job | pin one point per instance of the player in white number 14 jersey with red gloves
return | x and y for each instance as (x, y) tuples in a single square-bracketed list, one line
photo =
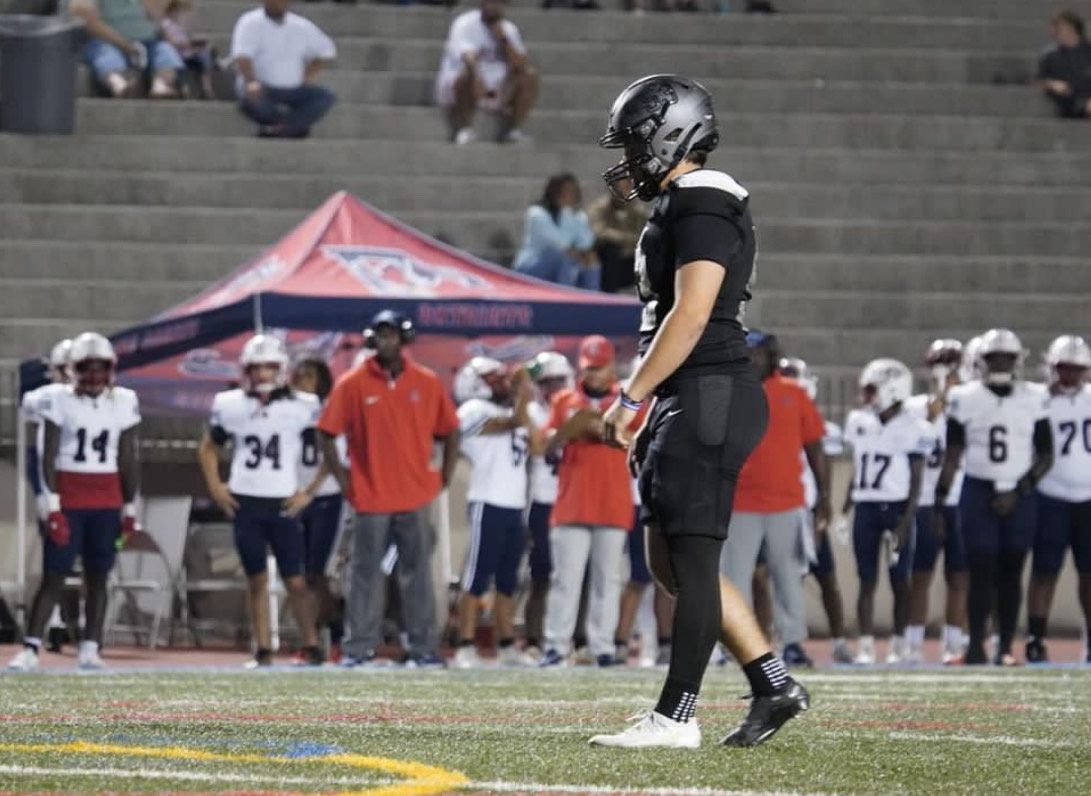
[(91, 472)]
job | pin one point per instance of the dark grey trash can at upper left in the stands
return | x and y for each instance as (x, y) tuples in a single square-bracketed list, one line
[(38, 74)]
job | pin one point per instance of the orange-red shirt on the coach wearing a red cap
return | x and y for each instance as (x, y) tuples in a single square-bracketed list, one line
[(595, 487)]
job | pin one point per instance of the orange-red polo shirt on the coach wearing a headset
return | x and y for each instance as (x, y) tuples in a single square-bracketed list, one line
[(390, 426)]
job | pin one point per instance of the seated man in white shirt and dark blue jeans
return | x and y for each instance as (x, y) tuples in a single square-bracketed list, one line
[(279, 55)]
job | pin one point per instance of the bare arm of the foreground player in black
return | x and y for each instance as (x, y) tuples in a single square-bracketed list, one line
[(697, 286)]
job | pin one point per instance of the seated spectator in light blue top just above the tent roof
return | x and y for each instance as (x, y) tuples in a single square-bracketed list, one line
[(558, 244)]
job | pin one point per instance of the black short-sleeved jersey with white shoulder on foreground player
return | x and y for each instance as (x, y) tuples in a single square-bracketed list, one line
[(704, 215)]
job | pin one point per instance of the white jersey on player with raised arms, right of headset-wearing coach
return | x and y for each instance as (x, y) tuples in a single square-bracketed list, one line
[(499, 473)]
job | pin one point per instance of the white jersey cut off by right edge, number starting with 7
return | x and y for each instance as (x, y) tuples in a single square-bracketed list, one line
[(1070, 479)]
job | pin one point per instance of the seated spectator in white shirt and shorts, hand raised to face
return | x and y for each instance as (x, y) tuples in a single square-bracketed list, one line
[(485, 66)]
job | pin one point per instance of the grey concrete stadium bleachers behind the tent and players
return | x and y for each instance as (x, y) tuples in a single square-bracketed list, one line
[(906, 180)]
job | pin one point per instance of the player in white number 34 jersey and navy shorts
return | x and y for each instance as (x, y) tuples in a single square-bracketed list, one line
[(266, 425)]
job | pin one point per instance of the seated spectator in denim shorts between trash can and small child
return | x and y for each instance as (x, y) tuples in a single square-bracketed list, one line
[(123, 37)]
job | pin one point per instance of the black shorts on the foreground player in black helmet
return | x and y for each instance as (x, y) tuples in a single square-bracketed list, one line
[(701, 437)]
